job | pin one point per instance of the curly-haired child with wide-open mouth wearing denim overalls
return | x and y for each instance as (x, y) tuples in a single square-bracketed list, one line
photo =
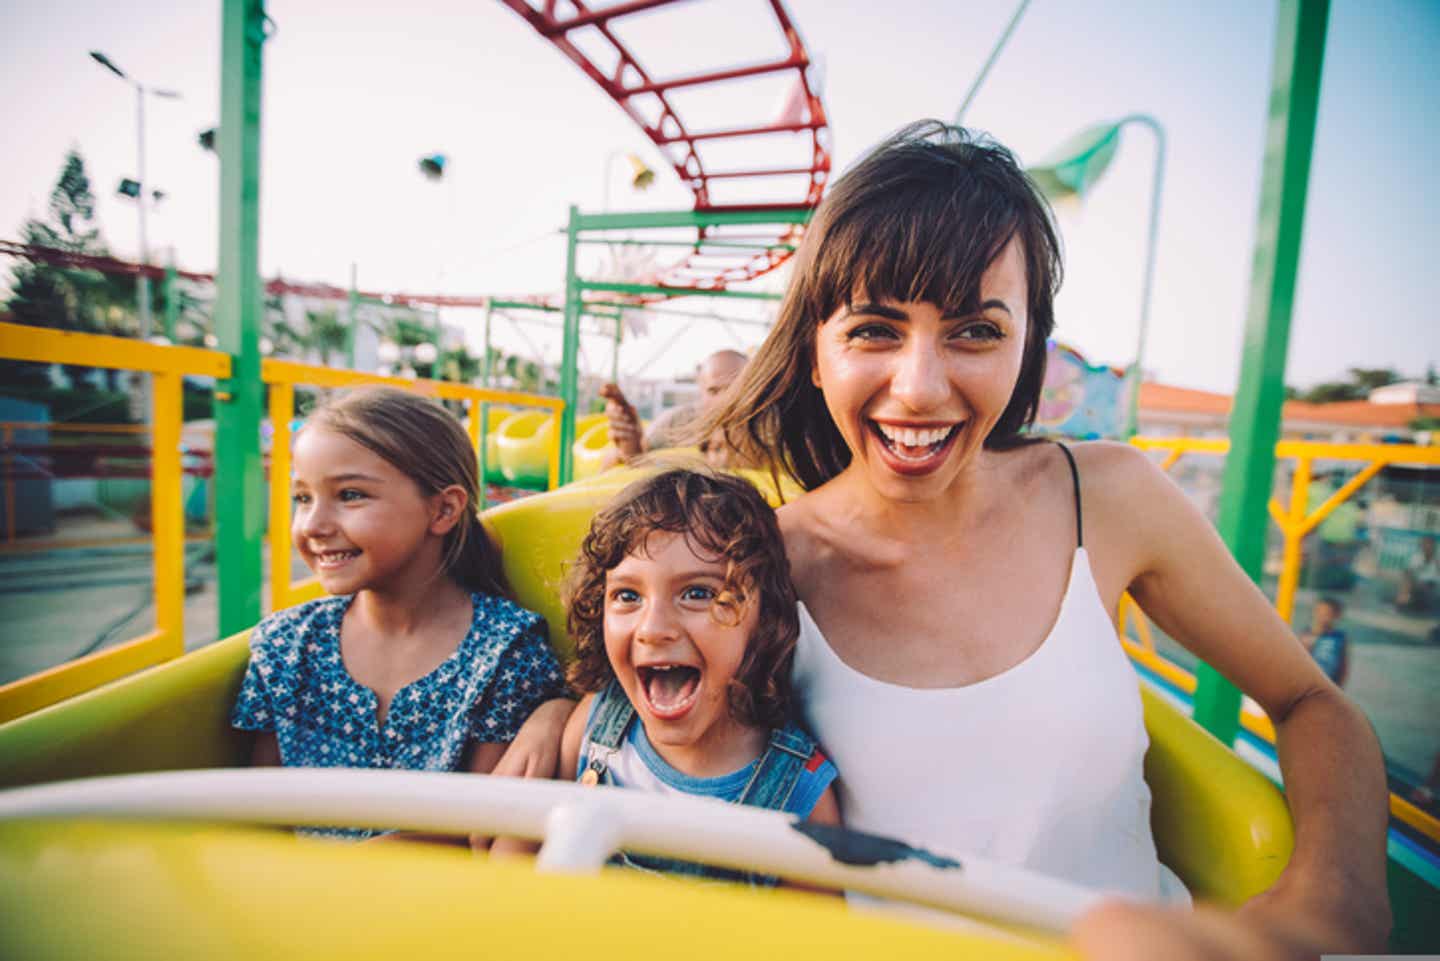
[(685, 623)]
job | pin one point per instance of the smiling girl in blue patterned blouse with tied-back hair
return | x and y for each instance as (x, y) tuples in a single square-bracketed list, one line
[(418, 661)]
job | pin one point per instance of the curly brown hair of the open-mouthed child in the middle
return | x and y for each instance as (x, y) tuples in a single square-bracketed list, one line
[(722, 517)]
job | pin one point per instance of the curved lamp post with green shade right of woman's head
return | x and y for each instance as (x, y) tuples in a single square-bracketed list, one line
[(1072, 171)]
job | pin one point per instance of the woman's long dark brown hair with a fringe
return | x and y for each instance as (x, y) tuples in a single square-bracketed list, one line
[(919, 218)]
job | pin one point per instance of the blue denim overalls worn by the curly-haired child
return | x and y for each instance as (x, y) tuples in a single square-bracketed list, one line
[(770, 787)]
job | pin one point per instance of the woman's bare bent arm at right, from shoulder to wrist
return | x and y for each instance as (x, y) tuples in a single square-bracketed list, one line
[(1333, 894)]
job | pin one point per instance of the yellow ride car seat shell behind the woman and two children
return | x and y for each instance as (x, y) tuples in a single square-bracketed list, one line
[(1219, 823)]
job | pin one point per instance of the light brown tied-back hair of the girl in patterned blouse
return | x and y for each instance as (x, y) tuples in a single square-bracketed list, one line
[(426, 443)]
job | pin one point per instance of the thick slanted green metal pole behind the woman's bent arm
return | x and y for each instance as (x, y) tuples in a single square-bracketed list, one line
[(1255, 423)]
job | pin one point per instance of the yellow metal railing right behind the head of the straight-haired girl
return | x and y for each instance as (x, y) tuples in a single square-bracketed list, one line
[(283, 377)]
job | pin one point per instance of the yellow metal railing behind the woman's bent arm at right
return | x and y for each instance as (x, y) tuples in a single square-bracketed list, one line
[(1295, 522)]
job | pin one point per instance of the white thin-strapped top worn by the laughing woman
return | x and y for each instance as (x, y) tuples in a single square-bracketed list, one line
[(1039, 767)]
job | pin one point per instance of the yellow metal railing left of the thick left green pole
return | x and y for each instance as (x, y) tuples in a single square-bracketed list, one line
[(168, 367)]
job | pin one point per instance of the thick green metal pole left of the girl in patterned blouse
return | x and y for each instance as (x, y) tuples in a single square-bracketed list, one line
[(240, 482)]
